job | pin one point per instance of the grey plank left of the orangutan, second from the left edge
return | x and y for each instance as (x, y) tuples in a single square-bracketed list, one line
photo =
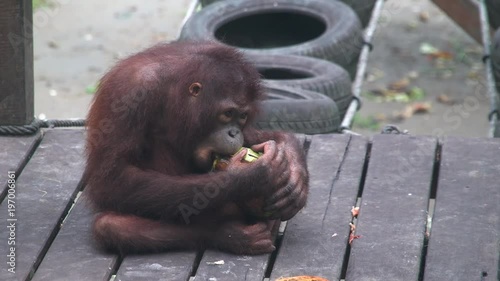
[(43, 191)]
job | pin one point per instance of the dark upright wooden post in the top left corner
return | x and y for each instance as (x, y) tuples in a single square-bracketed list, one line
[(16, 62)]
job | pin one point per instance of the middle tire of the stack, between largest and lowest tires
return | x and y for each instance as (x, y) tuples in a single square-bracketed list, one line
[(307, 73)]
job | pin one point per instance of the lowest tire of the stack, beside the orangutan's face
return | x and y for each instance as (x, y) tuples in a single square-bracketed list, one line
[(297, 110)]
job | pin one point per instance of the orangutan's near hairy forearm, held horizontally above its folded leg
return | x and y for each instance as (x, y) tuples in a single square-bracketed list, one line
[(130, 189)]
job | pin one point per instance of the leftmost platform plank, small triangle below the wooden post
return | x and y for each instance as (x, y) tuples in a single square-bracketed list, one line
[(14, 153)]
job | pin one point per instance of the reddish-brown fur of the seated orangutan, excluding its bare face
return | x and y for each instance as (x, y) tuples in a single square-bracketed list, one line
[(143, 127)]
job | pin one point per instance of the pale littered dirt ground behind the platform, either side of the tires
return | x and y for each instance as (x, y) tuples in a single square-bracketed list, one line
[(77, 41)]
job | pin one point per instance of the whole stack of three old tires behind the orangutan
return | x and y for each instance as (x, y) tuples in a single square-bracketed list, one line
[(297, 46)]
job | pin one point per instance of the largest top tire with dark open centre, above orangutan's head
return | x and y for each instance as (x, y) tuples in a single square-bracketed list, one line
[(324, 29)]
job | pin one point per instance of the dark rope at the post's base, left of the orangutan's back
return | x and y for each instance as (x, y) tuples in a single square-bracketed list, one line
[(34, 127)]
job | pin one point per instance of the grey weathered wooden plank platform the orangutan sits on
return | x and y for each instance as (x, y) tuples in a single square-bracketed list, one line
[(395, 180)]
